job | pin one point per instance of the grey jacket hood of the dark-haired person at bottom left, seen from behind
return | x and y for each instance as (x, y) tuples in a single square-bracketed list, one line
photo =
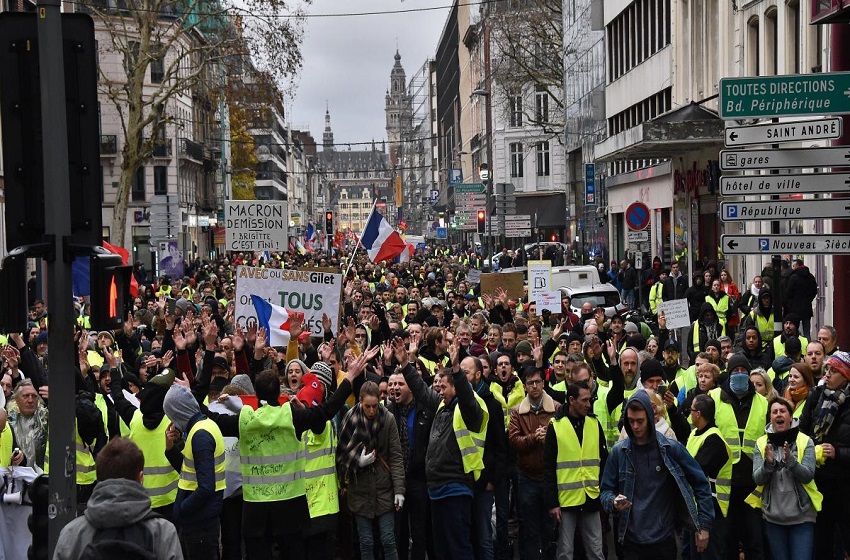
[(117, 502)]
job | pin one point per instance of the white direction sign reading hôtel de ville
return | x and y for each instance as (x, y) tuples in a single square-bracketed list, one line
[(801, 183)]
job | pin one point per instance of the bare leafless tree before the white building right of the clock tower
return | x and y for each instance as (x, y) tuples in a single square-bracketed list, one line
[(527, 49)]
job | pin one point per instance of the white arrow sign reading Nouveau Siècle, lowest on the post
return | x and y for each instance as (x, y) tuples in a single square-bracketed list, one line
[(802, 244)]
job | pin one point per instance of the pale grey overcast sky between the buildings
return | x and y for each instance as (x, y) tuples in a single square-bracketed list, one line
[(347, 63)]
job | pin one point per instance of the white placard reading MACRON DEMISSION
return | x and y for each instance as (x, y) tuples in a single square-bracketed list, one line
[(256, 225)]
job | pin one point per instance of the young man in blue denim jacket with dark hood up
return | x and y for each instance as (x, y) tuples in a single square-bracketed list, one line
[(647, 480)]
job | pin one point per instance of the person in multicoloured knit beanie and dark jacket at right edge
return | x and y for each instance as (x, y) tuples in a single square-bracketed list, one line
[(826, 419)]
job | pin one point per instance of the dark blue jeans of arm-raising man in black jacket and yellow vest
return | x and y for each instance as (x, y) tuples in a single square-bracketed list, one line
[(452, 518)]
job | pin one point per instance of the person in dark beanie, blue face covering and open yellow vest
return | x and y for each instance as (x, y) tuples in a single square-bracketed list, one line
[(740, 415)]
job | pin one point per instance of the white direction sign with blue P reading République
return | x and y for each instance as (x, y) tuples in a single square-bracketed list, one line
[(784, 210)]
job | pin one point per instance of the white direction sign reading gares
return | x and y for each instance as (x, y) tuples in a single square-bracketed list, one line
[(788, 158)]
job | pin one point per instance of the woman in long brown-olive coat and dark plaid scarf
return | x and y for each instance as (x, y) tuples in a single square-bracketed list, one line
[(372, 470)]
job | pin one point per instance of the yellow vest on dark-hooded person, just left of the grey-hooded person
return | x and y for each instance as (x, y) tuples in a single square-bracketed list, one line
[(160, 478)]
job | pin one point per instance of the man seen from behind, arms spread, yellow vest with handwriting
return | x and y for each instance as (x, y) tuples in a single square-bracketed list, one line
[(273, 436)]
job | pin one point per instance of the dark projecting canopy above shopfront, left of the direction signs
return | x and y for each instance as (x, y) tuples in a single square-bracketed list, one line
[(689, 128)]
